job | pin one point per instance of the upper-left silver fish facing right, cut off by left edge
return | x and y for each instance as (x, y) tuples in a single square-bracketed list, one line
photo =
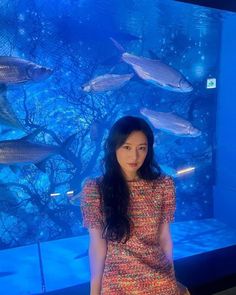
[(15, 70)]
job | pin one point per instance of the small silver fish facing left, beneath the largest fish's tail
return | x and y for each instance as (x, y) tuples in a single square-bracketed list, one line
[(107, 82)]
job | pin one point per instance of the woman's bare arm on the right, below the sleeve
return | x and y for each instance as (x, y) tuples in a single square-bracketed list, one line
[(166, 241)]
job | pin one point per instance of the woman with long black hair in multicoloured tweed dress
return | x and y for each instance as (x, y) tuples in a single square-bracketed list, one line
[(127, 212)]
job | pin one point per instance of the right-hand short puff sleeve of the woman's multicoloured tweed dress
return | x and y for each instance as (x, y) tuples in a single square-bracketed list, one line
[(169, 200)]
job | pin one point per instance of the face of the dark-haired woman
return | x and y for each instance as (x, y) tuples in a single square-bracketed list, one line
[(132, 153)]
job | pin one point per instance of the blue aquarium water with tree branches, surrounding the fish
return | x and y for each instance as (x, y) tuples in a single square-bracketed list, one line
[(73, 39)]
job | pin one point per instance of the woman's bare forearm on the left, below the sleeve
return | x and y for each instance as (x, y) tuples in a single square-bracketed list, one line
[(97, 255)]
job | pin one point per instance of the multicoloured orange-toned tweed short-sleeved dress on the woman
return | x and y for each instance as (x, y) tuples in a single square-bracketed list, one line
[(140, 266)]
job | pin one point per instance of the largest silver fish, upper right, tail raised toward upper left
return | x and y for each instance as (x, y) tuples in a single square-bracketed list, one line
[(155, 71)]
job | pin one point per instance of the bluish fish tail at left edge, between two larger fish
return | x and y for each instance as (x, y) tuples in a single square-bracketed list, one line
[(7, 115)]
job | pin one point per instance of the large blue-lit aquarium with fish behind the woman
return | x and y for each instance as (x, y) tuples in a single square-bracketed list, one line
[(68, 71)]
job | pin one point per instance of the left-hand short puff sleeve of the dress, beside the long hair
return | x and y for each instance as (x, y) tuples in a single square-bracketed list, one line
[(90, 205)]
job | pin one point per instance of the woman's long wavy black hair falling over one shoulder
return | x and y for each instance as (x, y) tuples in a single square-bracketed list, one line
[(114, 191)]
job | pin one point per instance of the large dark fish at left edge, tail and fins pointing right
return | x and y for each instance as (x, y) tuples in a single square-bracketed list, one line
[(23, 151)]
